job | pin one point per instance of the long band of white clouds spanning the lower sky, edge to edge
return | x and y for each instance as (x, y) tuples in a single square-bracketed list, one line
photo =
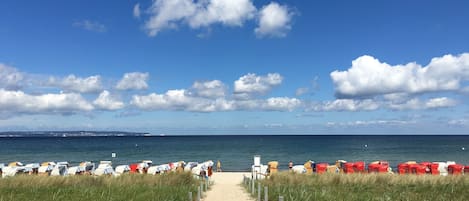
[(366, 86)]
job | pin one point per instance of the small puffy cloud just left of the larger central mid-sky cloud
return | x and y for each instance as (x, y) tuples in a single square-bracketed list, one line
[(209, 89)]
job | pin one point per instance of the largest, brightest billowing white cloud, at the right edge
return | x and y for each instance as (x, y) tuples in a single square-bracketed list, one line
[(369, 77)]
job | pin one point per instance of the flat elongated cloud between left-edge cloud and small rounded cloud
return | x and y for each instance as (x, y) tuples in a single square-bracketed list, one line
[(91, 84)]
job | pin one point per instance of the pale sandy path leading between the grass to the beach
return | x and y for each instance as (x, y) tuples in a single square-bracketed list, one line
[(227, 187)]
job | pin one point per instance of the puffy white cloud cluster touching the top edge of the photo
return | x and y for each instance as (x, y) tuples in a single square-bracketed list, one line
[(274, 19)]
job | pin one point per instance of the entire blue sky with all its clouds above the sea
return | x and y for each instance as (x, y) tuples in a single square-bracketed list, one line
[(235, 66)]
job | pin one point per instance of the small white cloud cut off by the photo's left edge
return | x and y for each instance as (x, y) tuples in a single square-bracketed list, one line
[(10, 78)]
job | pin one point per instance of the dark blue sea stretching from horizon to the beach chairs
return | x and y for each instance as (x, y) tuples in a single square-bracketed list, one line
[(236, 152)]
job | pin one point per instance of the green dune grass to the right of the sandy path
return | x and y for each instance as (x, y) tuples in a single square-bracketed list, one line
[(366, 187)]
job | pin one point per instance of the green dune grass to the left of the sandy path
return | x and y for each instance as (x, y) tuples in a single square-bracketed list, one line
[(168, 187)]
